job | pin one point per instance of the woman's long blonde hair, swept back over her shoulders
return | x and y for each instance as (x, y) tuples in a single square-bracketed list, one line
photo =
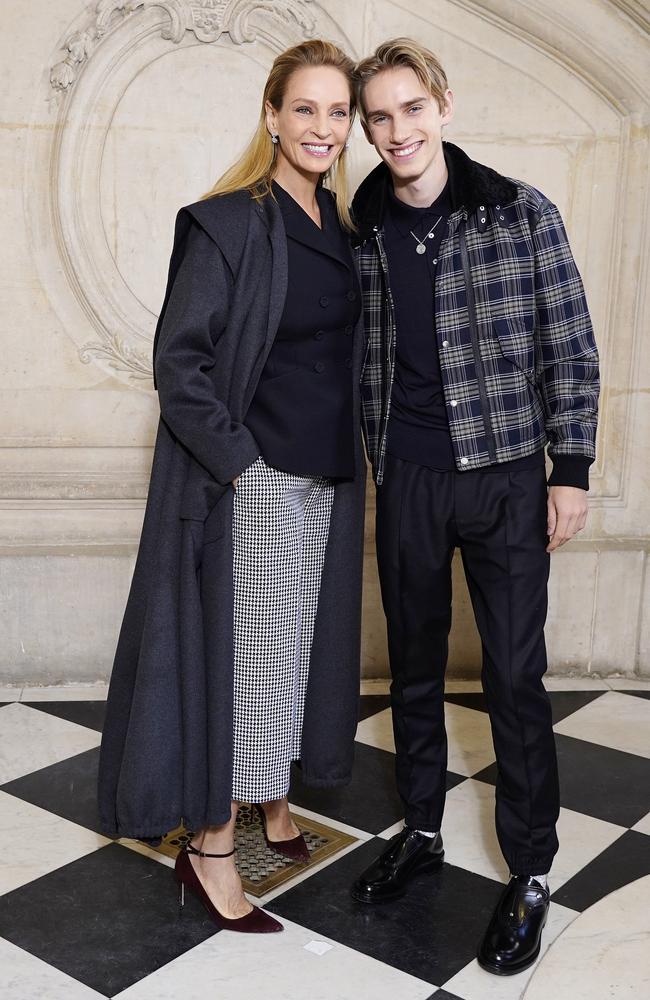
[(254, 169)]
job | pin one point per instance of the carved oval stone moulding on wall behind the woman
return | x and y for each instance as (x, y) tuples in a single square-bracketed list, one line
[(99, 61)]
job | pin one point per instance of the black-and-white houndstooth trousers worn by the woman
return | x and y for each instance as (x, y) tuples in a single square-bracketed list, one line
[(280, 530)]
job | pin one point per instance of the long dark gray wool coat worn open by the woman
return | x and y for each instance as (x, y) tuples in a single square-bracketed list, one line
[(167, 746)]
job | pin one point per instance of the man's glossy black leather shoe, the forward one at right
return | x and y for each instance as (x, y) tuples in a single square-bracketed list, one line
[(513, 938)]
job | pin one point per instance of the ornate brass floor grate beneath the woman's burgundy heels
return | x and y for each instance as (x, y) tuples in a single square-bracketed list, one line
[(262, 869)]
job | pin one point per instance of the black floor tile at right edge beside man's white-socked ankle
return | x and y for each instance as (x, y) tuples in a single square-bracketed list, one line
[(624, 861)]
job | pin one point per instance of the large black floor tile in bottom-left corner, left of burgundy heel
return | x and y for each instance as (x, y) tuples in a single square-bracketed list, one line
[(108, 919)]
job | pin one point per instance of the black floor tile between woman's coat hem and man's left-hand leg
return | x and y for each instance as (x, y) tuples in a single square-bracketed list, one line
[(370, 802)]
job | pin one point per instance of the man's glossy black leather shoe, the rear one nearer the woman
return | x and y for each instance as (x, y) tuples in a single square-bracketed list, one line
[(408, 854)]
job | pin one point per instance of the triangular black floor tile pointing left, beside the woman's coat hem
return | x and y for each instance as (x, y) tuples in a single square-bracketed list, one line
[(67, 789)]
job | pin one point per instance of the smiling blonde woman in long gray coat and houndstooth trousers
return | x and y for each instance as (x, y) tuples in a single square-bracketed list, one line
[(239, 650)]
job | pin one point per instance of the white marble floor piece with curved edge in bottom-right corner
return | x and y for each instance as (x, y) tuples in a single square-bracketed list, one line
[(603, 955)]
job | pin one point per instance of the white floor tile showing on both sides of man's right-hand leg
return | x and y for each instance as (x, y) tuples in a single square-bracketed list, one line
[(470, 839)]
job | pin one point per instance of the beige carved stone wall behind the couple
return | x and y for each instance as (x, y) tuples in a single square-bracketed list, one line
[(113, 114)]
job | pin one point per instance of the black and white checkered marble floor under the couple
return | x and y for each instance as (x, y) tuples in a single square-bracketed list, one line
[(84, 917)]
